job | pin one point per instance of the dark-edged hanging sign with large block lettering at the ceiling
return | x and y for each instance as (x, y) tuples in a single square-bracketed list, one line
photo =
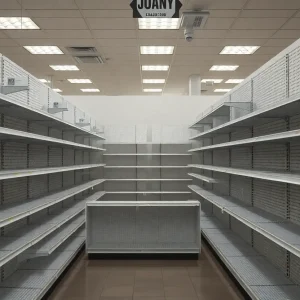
[(156, 8)]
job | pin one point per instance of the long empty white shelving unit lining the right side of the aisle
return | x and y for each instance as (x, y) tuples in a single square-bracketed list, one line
[(251, 199)]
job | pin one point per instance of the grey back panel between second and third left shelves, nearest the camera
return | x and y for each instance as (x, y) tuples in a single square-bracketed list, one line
[(14, 155)]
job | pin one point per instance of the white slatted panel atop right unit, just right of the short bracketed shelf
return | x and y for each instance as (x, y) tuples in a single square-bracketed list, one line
[(269, 87)]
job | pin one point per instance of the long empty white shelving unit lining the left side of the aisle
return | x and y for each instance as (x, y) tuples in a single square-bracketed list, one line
[(50, 166)]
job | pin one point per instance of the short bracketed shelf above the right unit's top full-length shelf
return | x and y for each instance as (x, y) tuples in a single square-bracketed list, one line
[(222, 110)]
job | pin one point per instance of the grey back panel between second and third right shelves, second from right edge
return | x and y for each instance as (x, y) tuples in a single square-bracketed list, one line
[(270, 157)]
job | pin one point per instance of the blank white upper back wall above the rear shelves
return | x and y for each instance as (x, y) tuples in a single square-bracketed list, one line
[(136, 110)]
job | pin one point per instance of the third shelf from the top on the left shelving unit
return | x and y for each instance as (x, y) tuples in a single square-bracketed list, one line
[(8, 174)]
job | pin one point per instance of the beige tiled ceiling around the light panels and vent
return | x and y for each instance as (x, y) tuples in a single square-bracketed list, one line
[(108, 25)]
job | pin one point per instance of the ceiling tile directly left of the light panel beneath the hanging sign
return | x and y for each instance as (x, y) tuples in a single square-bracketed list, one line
[(114, 23)]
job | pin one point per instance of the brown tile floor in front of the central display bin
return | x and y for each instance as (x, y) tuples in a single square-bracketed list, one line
[(146, 280)]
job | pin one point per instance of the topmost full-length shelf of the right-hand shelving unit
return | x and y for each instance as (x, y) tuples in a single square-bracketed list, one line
[(287, 109)]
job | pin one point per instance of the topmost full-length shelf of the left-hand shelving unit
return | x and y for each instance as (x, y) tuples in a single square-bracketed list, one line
[(25, 112)]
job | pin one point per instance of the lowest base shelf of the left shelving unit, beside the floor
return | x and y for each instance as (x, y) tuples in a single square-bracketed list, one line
[(35, 277)]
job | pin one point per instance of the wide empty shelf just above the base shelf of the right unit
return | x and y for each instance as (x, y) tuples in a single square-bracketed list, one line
[(278, 230)]
